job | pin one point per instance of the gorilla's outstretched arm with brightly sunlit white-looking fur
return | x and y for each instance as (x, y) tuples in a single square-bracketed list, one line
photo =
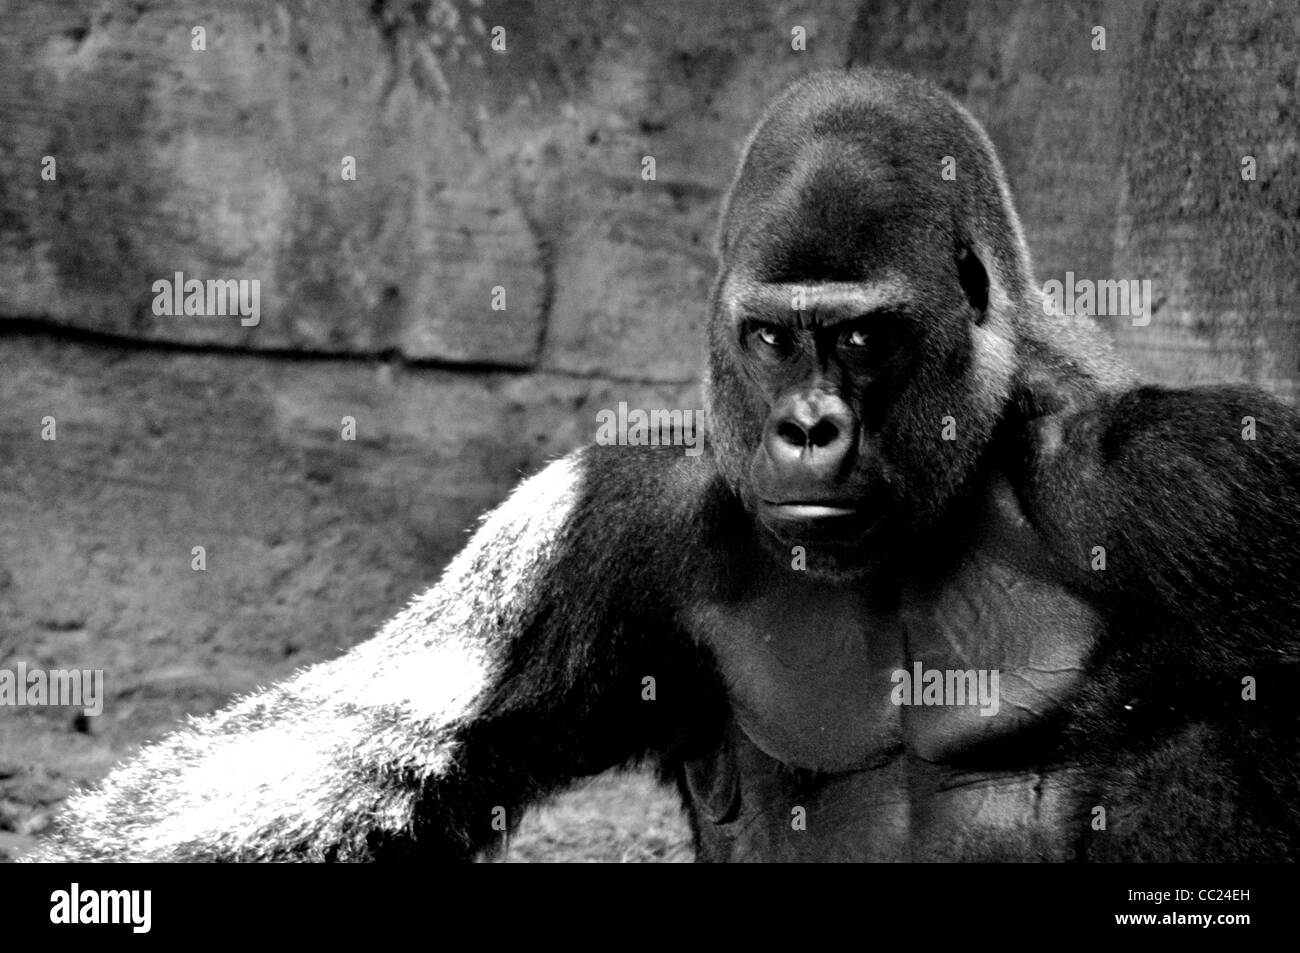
[(521, 670)]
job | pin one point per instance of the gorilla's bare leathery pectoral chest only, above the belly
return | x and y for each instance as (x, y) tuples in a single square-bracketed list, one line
[(822, 679)]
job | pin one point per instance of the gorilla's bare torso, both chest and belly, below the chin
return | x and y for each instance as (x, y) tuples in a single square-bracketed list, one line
[(922, 730)]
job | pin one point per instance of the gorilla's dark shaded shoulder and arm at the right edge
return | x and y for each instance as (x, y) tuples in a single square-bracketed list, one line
[(1188, 724)]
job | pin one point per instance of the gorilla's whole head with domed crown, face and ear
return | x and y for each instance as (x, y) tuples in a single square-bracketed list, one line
[(864, 320)]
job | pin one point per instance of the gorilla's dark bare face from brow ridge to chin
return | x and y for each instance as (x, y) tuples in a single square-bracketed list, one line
[(839, 388)]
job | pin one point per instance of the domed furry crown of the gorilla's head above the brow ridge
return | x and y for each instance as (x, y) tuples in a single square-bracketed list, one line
[(844, 175)]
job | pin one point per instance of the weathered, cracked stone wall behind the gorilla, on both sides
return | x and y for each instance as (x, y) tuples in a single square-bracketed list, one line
[(480, 170)]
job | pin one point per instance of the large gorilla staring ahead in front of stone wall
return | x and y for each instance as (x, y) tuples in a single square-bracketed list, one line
[(917, 482)]
